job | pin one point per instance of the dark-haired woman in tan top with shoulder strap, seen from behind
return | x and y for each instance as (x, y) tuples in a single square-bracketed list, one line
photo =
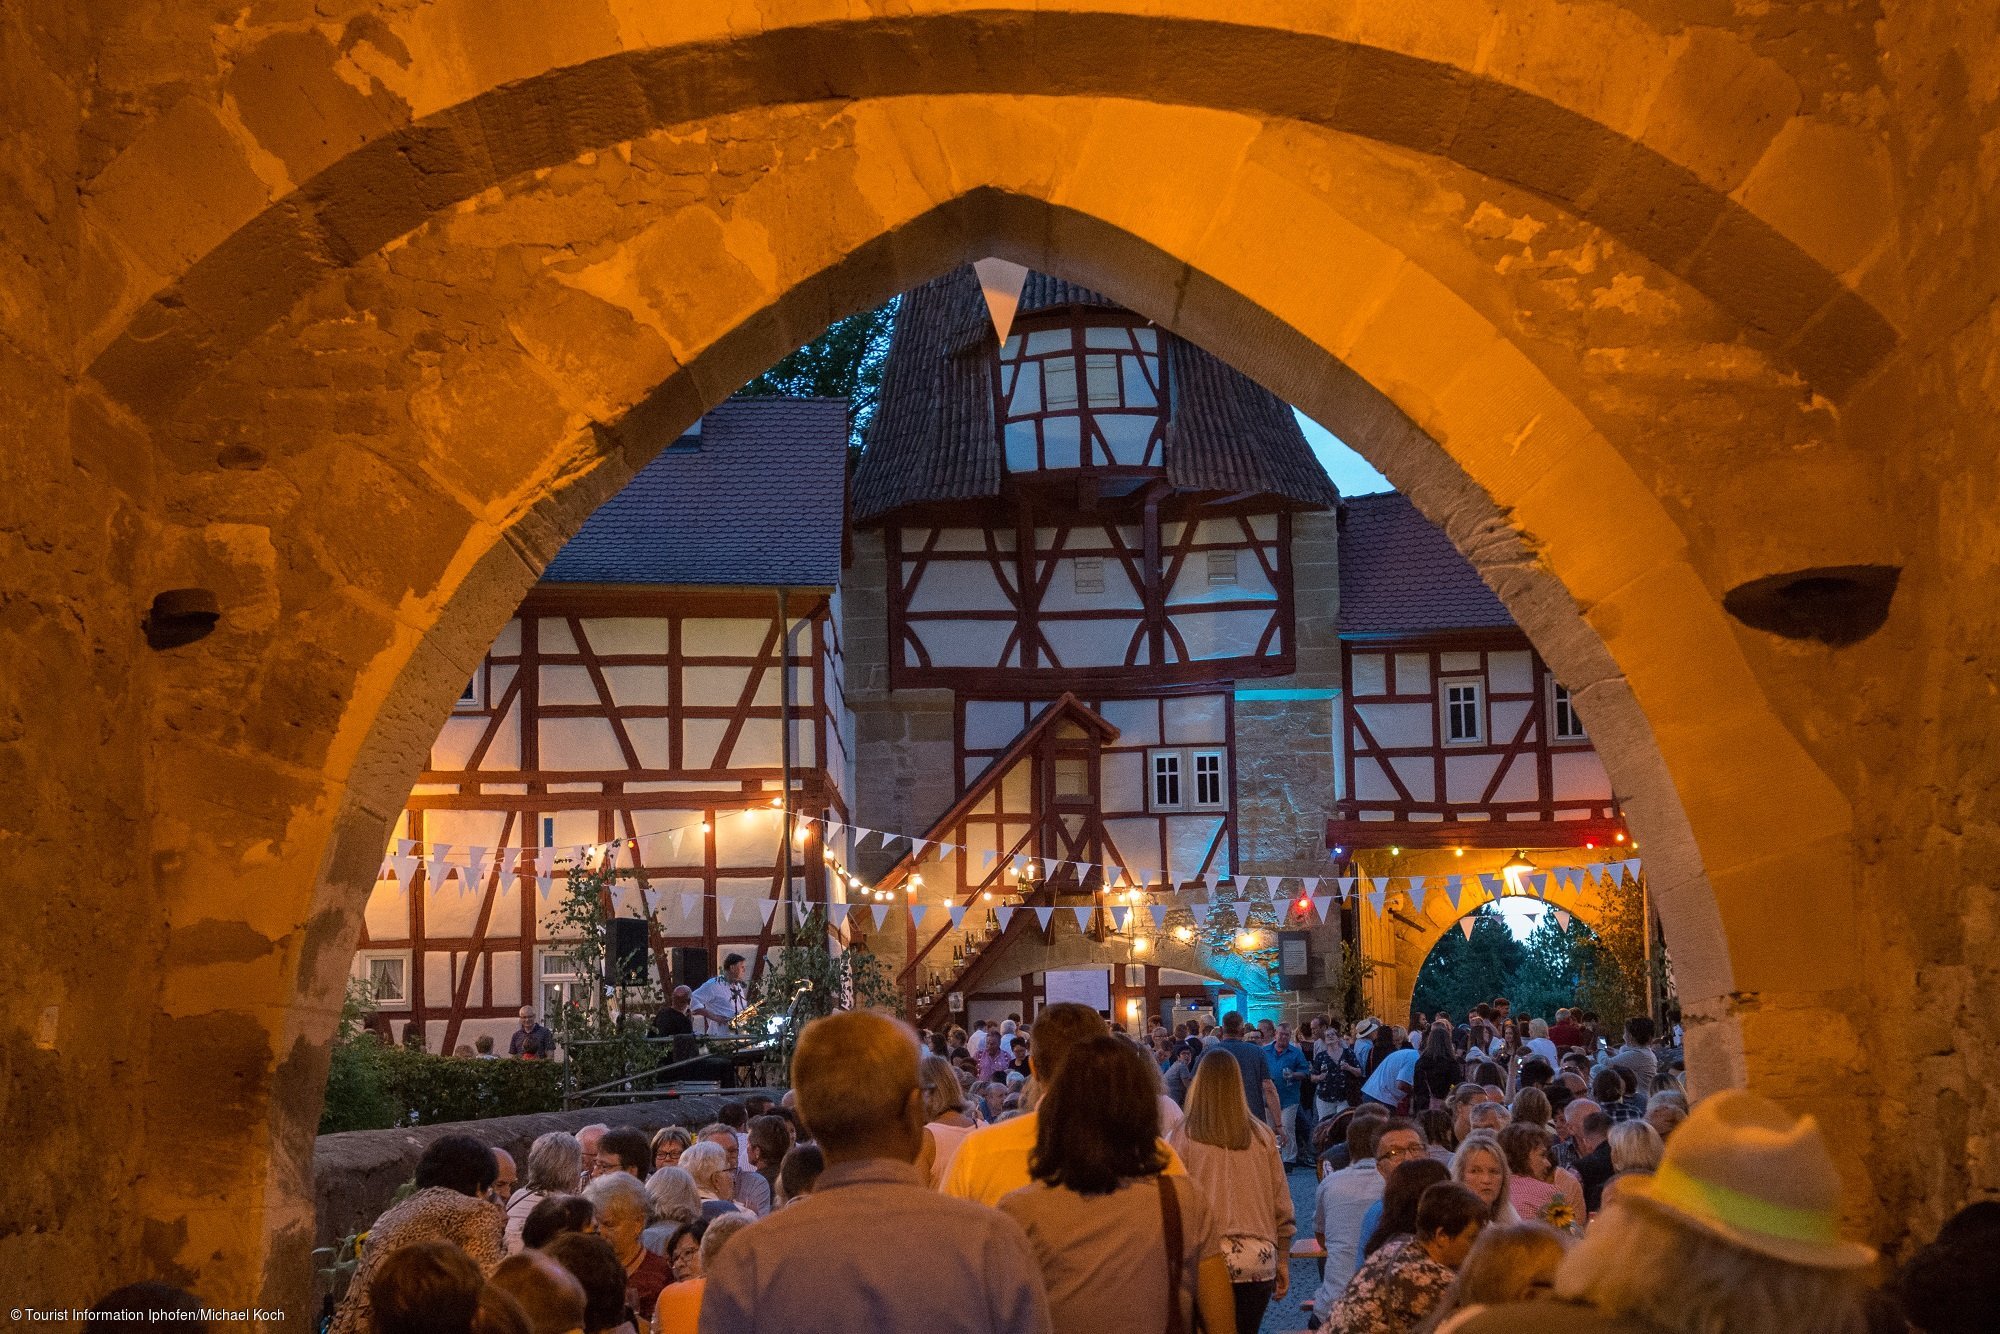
[(1123, 1247)]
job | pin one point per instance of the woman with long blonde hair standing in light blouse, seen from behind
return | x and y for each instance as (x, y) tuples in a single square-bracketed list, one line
[(1235, 1163)]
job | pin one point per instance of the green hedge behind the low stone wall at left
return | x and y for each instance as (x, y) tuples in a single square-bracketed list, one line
[(375, 1087)]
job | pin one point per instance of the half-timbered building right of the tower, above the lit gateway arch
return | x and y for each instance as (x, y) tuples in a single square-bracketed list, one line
[(1461, 753)]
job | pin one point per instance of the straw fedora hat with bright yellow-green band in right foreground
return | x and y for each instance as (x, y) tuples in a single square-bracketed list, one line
[(1747, 1171)]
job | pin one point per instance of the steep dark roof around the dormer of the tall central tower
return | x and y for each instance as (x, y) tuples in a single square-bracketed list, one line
[(937, 435)]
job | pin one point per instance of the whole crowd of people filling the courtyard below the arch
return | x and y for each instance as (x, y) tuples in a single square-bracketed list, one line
[(1473, 1177)]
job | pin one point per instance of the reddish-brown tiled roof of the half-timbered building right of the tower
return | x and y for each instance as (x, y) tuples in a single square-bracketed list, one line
[(1401, 575)]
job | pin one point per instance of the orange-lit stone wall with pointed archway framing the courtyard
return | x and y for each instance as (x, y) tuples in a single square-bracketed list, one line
[(337, 313)]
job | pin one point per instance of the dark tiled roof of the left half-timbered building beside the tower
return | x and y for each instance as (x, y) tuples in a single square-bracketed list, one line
[(755, 499)]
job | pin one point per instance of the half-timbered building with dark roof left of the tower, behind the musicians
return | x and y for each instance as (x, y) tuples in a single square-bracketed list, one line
[(673, 675)]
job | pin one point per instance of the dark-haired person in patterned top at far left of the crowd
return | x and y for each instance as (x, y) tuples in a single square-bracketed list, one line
[(449, 1207)]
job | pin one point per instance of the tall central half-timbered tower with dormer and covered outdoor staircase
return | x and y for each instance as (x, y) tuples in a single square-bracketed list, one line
[(1077, 591)]
